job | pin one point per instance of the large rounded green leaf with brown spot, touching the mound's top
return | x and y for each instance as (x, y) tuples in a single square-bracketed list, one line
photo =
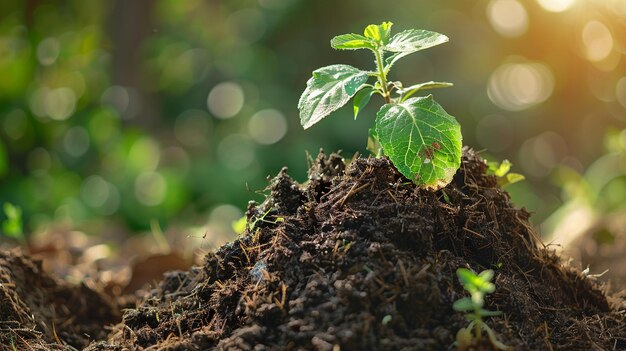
[(422, 140)]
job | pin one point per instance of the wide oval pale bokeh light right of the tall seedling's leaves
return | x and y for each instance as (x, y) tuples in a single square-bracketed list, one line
[(518, 86)]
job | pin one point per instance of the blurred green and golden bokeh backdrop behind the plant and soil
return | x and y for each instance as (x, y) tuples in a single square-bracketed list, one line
[(117, 113)]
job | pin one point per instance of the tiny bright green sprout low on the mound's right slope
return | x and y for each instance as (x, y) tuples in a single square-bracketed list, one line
[(478, 285)]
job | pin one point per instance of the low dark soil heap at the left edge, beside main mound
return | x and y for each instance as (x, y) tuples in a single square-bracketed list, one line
[(38, 312)]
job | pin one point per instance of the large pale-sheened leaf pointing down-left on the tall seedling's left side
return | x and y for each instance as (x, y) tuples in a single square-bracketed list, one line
[(329, 89)]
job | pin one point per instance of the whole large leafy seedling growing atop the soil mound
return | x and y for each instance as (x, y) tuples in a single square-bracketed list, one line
[(421, 139)]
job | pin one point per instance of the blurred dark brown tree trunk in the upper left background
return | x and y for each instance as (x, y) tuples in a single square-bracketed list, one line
[(130, 24)]
